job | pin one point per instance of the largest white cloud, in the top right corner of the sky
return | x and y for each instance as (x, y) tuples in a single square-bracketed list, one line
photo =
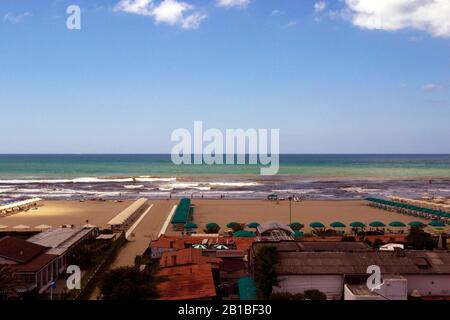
[(432, 16)]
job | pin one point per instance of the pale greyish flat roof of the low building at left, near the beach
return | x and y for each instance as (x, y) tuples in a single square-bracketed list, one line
[(60, 239)]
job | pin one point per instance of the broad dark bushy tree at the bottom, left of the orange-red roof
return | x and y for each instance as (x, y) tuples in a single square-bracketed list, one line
[(128, 283)]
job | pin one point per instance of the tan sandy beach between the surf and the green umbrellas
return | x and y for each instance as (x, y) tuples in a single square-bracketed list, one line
[(56, 213)]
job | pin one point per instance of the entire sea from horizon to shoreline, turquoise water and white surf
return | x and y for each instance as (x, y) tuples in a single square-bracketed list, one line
[(130, 176)]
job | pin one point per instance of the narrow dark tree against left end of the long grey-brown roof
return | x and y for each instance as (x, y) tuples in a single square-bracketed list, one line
[(265, 274)]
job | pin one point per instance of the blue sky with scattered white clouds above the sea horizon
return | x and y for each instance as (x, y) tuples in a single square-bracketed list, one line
[(342, 76)]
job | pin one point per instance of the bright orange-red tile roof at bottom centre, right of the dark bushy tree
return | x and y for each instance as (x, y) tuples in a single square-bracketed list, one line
[(187, 283)]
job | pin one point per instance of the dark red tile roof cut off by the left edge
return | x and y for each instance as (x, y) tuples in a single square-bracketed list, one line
[(19, 250)]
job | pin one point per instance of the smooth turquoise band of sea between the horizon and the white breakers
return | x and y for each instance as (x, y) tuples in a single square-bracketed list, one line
[(74, 166)]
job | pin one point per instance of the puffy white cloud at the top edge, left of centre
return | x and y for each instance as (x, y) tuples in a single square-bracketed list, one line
[(171, 12)]
